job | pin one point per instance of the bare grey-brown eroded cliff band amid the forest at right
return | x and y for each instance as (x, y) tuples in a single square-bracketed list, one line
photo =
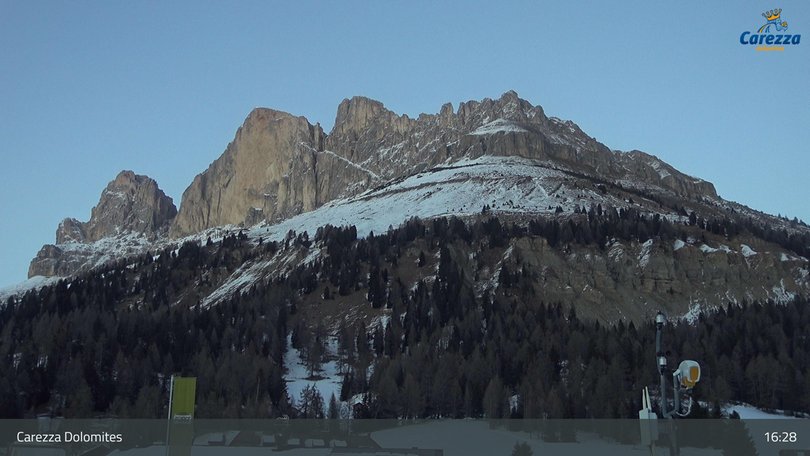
[(632, 280)]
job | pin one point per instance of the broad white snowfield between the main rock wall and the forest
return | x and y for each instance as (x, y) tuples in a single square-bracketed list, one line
[(506, 184)]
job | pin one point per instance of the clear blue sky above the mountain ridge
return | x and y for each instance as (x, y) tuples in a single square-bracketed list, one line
[(90, 88)]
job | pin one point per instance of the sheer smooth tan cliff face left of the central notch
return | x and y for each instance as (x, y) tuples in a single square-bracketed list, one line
[(267, 172)]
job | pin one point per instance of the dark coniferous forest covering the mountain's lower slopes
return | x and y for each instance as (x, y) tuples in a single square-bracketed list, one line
[(105, 344)]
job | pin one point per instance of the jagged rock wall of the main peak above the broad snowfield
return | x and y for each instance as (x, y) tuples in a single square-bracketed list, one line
[(279, 165)]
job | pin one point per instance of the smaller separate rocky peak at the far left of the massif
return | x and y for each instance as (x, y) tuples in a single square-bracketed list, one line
[(130, 205)]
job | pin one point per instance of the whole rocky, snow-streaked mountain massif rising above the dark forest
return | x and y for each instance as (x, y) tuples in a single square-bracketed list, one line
[(504, 154)]
